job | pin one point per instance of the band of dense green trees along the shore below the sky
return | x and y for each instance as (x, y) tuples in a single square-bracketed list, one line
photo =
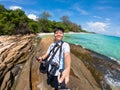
[(16, 22)]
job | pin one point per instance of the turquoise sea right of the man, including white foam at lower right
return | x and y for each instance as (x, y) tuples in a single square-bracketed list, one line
[(103, 44)]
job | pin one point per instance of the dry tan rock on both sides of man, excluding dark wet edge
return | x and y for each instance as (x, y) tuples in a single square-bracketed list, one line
[(19, 69)]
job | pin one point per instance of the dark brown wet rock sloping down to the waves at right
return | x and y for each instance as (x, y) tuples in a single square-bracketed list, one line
[(100, 66)]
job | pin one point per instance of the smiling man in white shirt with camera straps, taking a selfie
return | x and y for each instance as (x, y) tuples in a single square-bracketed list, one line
[(64, 62)]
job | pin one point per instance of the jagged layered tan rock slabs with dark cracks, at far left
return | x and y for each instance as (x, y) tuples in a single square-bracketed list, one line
[(13, 52)]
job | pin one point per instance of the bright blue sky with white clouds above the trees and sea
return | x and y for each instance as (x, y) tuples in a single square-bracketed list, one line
[(100, 16)]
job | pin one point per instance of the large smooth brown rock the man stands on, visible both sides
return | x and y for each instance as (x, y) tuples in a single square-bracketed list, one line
[(80, 77)]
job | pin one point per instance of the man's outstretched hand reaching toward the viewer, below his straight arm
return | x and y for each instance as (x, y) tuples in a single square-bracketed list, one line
[(65, 76)]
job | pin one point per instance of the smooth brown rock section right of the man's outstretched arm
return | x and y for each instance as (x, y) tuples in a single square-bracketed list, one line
[(81, 78)]
